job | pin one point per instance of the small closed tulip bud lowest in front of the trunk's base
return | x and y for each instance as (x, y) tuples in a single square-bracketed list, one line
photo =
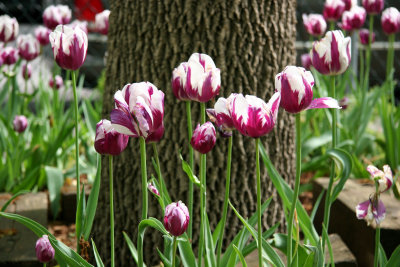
[(176, 218)]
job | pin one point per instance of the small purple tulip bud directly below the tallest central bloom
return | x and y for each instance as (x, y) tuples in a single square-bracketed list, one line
[(203, 138)]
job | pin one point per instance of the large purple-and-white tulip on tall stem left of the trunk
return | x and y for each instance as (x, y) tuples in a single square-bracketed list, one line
[(69, 47)]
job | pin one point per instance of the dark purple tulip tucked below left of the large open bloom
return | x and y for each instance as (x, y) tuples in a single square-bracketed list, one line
[(108, 141)]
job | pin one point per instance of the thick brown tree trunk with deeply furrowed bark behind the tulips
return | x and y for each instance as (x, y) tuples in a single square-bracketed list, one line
[(250, 41)]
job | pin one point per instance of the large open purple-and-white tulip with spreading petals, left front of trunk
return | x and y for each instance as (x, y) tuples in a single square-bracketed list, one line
[(139, 111)]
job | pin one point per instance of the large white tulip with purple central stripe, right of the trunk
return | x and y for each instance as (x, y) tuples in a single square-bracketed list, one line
[(331, 55)]
